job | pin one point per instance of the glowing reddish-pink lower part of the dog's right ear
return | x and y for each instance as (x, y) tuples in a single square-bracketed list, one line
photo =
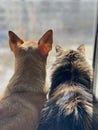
[(45, 48)]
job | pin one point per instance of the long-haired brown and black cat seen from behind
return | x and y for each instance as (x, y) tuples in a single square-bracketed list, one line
[(70, 103)]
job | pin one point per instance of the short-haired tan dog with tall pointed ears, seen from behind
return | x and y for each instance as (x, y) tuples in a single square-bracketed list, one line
[(25, 94)]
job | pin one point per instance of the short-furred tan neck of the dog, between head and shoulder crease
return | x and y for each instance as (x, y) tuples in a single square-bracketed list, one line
[(29, 76)]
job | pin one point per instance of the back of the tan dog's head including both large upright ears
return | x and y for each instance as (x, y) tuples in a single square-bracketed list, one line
[(31, 52)]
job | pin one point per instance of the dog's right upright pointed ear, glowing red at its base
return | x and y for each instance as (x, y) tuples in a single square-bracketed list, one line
[(45, 43)]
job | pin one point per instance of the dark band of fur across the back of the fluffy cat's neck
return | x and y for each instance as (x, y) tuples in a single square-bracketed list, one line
[(71, 74)]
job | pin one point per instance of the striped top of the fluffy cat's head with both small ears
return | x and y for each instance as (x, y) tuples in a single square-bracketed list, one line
[(68, 55)]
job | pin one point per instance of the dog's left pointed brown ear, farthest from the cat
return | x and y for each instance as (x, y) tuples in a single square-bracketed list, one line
[(14, 40)]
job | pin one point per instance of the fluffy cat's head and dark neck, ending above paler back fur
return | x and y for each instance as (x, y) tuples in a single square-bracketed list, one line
[(71, 66)]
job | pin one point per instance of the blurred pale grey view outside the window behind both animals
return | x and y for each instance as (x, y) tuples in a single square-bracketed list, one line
[(73, 23)]
